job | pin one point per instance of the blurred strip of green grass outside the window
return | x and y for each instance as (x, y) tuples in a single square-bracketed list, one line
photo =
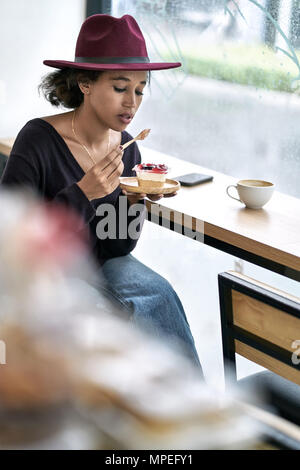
[(257, 66)]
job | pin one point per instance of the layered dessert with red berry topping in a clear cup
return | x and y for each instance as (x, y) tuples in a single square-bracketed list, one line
[(151, 176)]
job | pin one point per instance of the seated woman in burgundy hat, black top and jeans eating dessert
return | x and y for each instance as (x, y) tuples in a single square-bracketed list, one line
[(76, 158)]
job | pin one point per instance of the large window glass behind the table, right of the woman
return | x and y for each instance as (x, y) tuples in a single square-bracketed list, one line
[(234, 105)]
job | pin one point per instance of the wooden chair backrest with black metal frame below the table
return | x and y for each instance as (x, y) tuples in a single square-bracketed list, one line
[(260, 323)]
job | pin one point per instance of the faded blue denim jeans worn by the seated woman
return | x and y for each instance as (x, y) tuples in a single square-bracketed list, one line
[(149, 300)]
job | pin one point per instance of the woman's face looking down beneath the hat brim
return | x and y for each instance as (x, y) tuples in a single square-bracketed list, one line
[(116, 96)]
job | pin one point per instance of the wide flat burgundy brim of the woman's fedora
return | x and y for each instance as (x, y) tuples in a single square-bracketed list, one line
[(61, 64)]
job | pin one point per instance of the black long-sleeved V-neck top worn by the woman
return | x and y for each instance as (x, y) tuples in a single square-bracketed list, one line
[(41, 160)]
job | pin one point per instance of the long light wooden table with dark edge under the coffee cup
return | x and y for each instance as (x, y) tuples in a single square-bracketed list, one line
[(269, 237)]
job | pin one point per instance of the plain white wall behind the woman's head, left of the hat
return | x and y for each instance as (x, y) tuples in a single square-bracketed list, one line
[(30, 32)]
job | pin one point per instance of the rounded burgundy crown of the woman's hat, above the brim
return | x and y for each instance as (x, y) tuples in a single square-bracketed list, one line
[(105, 36)]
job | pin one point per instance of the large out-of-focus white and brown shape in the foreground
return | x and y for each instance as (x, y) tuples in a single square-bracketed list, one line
[(79, 375)]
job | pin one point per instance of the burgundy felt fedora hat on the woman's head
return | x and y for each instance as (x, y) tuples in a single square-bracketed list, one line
[(108, 43)]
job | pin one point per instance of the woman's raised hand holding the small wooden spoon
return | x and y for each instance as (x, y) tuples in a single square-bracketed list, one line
[(103, 178)]
